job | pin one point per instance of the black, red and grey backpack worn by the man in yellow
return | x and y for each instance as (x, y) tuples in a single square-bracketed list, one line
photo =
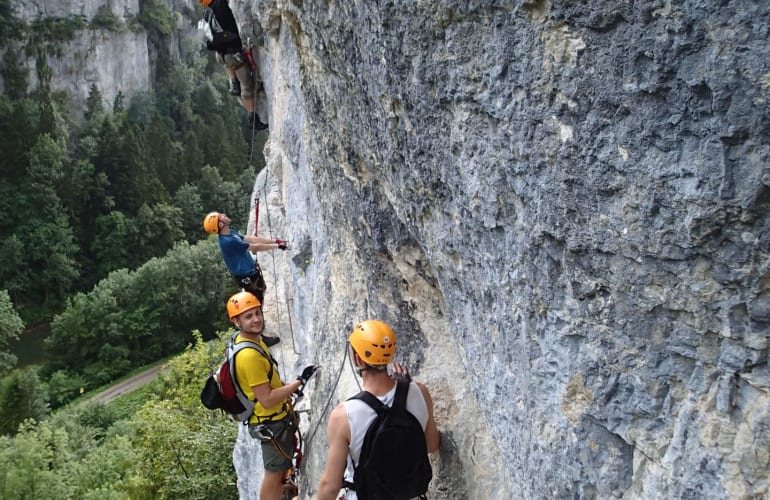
[(222, 392)]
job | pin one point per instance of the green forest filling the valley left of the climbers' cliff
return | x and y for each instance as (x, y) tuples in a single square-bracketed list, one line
[(102, 246)]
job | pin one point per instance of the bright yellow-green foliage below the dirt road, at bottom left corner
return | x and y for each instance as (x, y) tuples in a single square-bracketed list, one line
[(171, 448)]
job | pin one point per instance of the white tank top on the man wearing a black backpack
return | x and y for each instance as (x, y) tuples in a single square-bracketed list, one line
[(361, 415)]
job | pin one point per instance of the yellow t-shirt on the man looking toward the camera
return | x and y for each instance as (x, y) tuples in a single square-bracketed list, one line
[(251, 369)]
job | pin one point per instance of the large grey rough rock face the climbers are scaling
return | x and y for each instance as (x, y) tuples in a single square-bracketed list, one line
[(561, 208)]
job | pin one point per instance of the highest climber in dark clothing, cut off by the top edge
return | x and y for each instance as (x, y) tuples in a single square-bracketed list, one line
[(223, 38)]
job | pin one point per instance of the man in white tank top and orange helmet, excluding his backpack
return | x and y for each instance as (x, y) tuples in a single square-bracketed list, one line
[(372, 348)]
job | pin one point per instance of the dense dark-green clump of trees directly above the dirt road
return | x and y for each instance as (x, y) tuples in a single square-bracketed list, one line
[(133, 318)]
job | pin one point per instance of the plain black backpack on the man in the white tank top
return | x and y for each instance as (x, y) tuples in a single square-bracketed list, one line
[(393, 464)]
